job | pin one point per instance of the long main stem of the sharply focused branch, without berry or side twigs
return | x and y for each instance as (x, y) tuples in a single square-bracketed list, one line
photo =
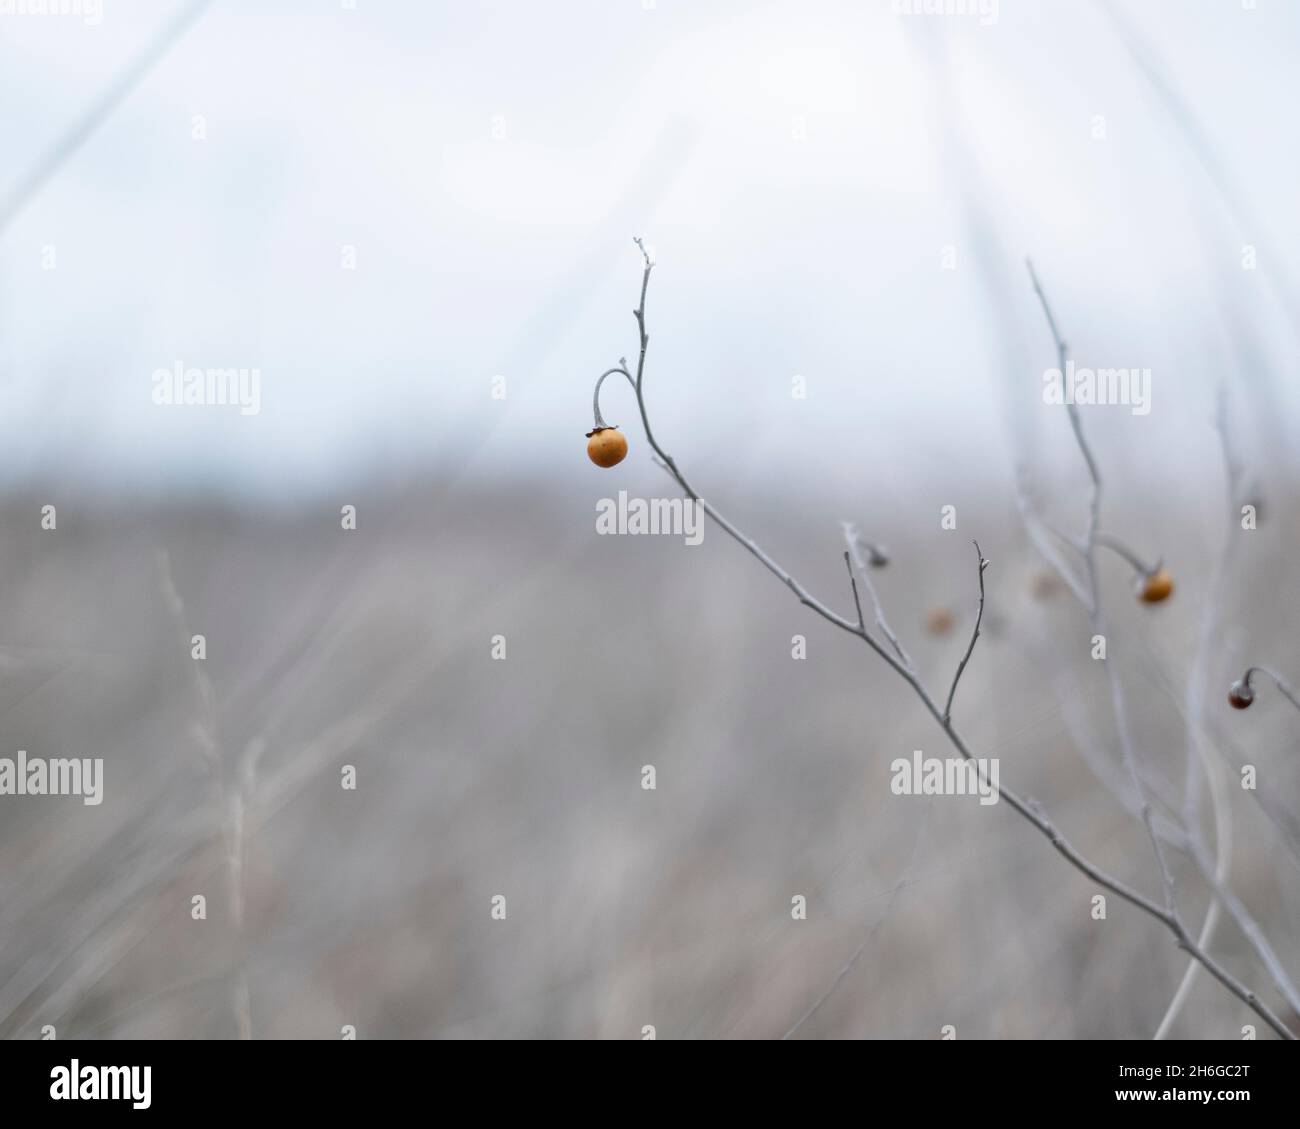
[(1032, 812)]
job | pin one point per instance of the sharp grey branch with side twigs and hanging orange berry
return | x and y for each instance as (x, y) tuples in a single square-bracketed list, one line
[(898, 660)]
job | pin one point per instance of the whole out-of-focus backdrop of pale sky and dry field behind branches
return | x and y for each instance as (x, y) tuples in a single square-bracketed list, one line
[(415, 223)]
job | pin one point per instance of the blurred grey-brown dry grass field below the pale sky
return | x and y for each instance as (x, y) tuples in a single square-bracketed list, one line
[(523, 778)]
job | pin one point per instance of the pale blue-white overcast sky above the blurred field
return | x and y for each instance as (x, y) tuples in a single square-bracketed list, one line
[(799, 168)]
